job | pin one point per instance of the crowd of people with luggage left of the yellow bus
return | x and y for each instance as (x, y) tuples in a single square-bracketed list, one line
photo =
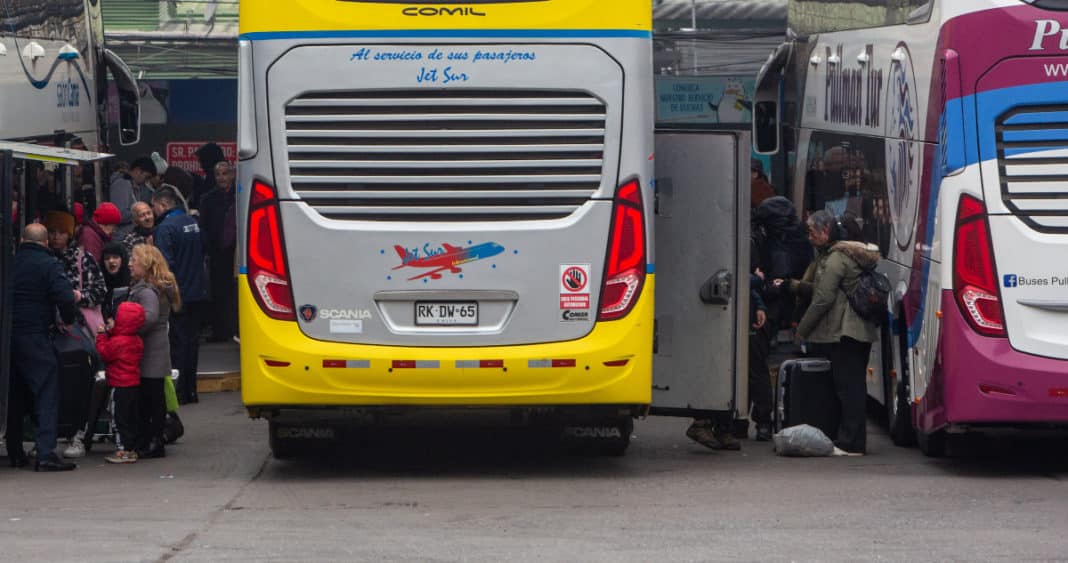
[(134, 277)]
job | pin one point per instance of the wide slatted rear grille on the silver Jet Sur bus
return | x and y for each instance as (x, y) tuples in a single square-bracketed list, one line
[(451, 155)]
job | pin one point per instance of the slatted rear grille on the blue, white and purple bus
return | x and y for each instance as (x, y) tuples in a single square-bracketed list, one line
[(1033, 165)]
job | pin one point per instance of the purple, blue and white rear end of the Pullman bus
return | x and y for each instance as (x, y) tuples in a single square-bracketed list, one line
[(1003, 358)]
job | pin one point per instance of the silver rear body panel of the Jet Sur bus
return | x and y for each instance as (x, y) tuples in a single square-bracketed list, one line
[(342, 261)]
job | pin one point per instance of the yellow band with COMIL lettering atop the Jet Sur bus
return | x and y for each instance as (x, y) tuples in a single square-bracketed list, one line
[(272, 17)]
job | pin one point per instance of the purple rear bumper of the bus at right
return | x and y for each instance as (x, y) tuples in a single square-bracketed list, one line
[(1020, 388)]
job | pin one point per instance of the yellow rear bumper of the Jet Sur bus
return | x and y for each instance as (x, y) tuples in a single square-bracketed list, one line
[(443, 377)]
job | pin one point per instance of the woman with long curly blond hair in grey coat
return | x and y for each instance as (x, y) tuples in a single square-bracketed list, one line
[(156, 291)]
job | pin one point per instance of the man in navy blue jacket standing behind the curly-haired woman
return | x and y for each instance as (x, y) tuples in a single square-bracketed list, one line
[(178, 238)]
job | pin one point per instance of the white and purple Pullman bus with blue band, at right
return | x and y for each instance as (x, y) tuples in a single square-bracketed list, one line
[(945, 127)]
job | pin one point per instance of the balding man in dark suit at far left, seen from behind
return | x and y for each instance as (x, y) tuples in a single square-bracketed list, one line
[(39, 287)]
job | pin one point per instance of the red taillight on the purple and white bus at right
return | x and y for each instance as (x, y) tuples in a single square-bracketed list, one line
[(975, 274)]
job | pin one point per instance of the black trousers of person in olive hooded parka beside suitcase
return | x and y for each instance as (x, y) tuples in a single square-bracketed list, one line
[(849, 367)]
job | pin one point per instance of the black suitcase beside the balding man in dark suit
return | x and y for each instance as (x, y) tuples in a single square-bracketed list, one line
[(77, 368)]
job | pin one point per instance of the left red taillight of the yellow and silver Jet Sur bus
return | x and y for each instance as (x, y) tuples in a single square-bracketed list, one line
[(269, 275)]
